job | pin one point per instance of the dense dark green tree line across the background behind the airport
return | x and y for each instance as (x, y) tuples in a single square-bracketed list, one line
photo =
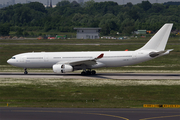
[(109, 16)]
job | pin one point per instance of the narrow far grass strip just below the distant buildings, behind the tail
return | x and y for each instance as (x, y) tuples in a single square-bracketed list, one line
[(131, 40)]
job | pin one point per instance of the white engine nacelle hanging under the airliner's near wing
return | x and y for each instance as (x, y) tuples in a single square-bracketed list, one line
[(62, 68)]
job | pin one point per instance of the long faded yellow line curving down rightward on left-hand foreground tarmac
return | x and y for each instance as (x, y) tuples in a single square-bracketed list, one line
[(72, 112)]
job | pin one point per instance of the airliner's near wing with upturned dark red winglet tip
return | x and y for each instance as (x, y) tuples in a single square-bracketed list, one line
[(87, 62)]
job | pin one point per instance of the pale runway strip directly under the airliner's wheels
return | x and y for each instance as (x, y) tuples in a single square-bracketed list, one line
[(139, 76)]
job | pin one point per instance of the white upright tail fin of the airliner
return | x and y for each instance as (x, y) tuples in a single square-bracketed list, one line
[(159, 40)]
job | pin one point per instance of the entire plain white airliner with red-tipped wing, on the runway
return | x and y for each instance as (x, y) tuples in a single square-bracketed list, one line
[(62, 62)]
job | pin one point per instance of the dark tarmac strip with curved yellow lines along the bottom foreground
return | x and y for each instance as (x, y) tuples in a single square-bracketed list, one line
[(88, 114)]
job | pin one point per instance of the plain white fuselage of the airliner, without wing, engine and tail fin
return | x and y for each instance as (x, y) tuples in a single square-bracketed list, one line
[(48, 59)]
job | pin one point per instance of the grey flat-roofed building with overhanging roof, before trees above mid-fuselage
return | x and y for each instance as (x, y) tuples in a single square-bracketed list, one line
[(87, 33)]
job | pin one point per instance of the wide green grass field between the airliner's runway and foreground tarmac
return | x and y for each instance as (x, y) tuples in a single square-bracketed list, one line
[(87, 93)]
